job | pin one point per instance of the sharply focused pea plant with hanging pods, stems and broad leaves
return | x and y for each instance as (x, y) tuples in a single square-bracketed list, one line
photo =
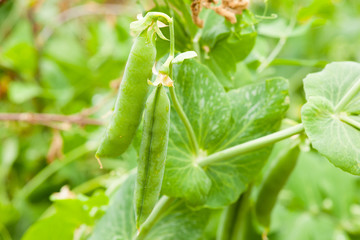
[(218, 141)]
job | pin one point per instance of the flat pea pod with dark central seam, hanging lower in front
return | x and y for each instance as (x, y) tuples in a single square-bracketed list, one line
[(153, 149)]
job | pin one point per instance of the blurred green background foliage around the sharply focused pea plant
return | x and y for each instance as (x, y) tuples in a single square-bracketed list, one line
[(67, 57)]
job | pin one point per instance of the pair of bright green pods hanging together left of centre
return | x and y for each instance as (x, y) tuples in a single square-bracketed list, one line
[(125, 120)]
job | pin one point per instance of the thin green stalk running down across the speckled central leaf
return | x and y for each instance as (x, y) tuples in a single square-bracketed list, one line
[(185, 121)]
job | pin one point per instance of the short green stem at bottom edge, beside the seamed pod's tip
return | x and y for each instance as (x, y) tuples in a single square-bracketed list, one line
[(160, 208)]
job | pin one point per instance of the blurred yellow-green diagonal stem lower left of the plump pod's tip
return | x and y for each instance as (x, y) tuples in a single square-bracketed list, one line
[(49, 170)]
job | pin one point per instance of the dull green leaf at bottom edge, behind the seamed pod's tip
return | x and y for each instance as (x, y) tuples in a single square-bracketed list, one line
[(178, 223)]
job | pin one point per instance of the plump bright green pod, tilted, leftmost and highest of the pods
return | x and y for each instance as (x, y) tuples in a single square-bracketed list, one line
[(131, 97)]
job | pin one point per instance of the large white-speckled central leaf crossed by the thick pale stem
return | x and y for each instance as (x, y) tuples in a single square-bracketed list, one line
[(251, 112)]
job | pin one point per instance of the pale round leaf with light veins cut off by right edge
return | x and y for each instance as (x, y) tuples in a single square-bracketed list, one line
[(325, 122)]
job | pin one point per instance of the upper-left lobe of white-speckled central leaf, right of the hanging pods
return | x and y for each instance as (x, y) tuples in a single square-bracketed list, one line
[(204, 101)]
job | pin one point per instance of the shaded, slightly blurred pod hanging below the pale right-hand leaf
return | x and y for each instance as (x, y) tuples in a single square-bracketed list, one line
[(273, 182)]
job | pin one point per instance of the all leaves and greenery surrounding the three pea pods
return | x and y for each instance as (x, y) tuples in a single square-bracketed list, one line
[(68, 57)]
